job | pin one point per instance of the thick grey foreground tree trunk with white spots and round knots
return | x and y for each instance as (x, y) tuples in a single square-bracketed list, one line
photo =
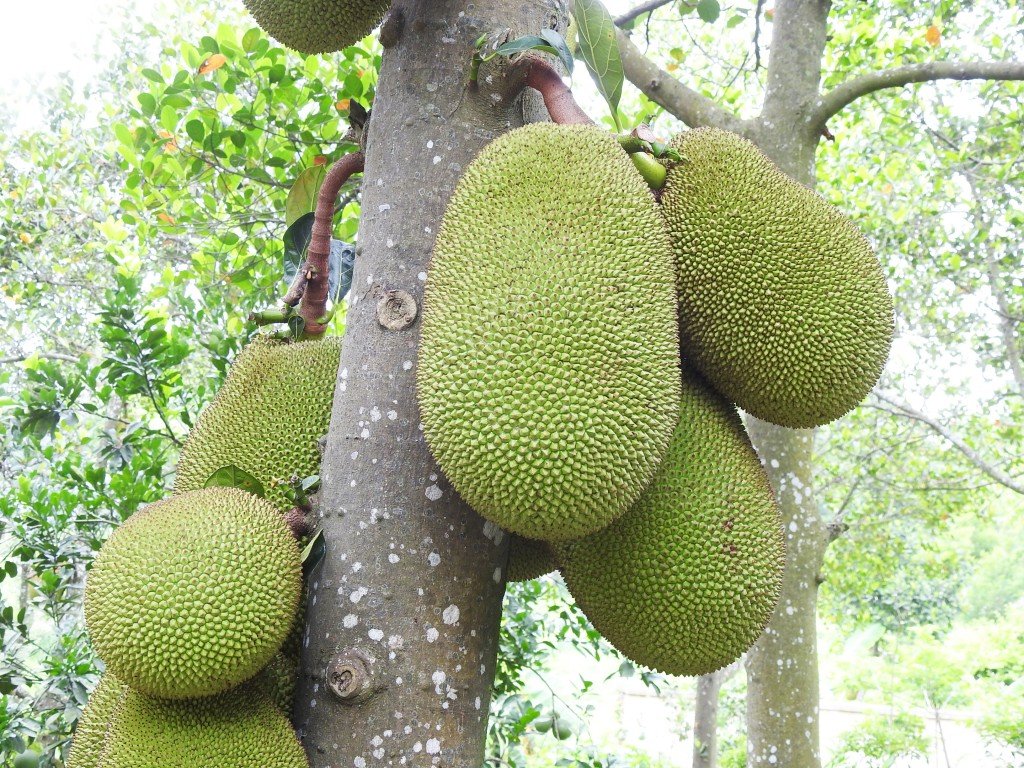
[(404, 610)]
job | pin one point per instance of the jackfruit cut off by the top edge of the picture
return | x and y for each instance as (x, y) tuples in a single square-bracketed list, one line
[(318, 26)]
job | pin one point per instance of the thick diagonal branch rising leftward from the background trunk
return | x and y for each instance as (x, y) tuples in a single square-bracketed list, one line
[(693, 108)]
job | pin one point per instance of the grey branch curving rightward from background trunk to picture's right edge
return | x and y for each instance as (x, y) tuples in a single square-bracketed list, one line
[(834, 102)]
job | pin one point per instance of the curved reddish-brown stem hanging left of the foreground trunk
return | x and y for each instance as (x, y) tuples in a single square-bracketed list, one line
[(314, 306)]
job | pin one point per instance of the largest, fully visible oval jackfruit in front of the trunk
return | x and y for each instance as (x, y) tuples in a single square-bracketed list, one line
[(547, 376)]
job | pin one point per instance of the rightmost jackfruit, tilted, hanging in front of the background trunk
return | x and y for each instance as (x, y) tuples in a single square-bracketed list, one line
[(784, 307)]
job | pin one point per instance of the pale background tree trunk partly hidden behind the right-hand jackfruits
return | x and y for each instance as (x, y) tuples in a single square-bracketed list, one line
[(783, 690)]
